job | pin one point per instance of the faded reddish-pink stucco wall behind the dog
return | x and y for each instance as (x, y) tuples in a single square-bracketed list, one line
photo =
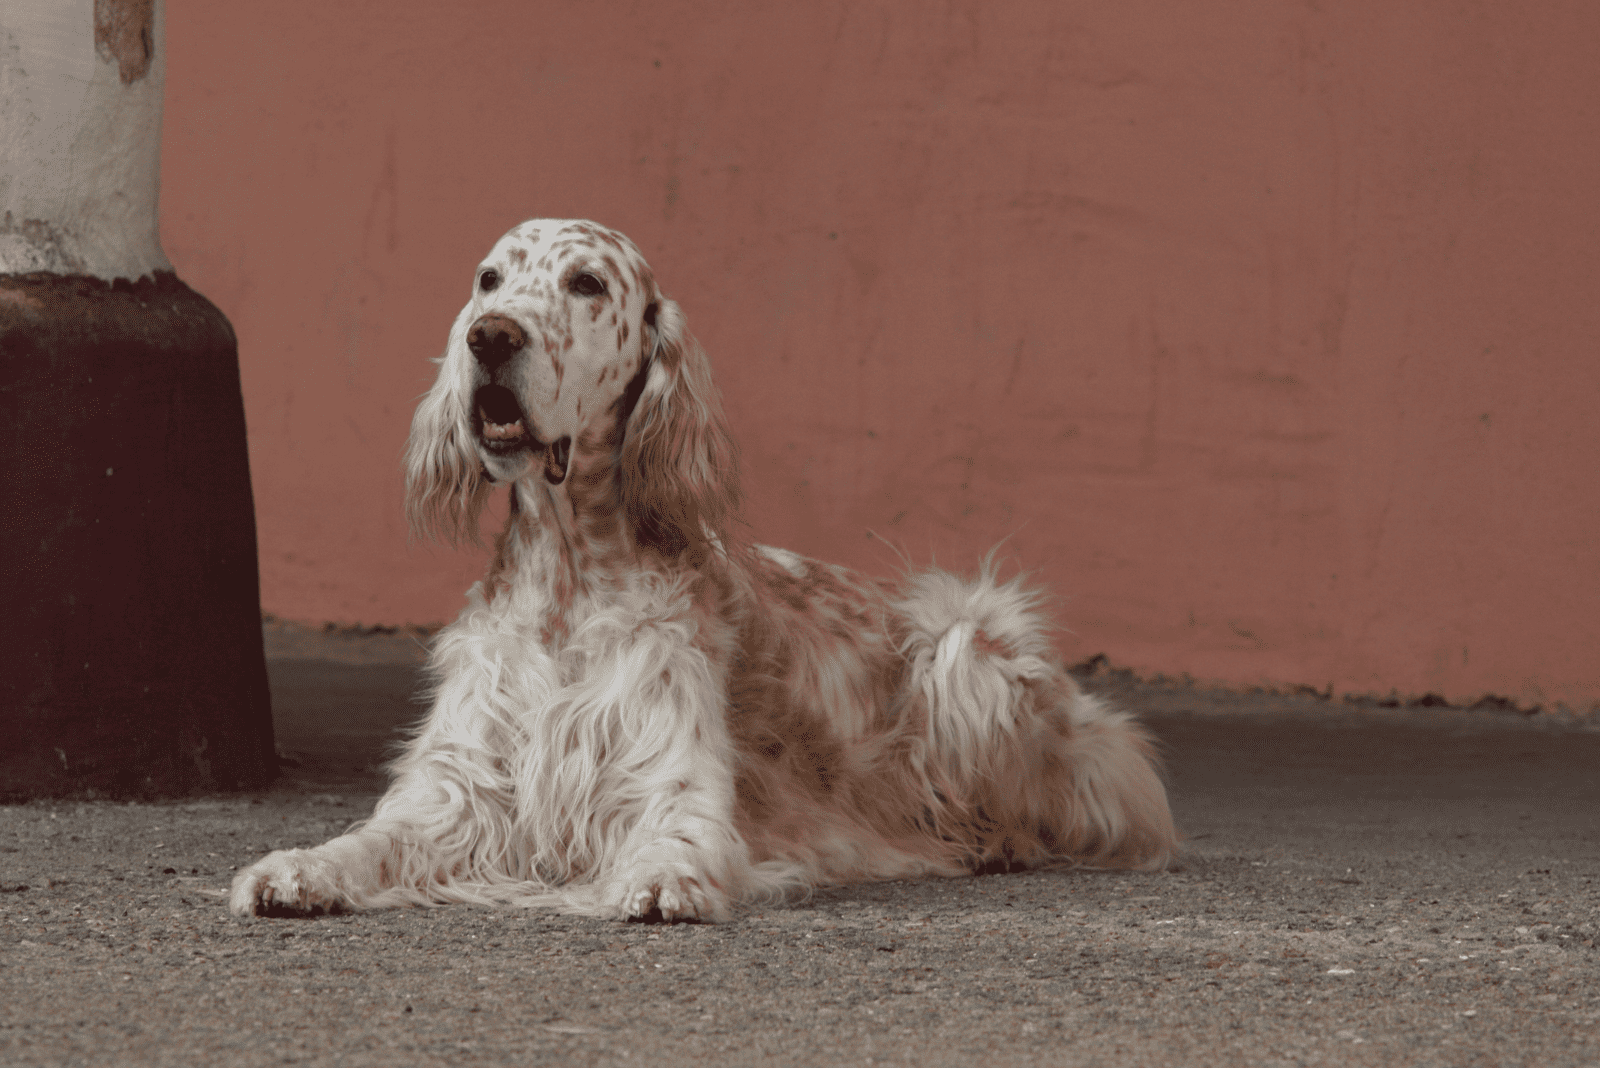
[(1266, 333)]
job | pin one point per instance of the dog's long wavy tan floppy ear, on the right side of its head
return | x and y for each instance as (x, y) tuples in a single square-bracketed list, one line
[(679, 469)]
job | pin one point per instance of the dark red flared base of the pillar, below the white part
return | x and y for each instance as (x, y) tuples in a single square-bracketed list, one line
[(130, 629)]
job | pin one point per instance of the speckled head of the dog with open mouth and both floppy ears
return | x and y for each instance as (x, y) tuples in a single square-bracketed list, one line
[(569, 346)]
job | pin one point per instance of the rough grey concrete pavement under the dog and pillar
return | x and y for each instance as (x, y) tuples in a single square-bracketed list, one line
[(1362, 888)]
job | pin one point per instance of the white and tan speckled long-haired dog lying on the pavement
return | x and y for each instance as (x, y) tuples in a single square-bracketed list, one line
[(638, 712)]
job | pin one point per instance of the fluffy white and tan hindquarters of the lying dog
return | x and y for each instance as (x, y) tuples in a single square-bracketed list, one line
[(1023, 765)]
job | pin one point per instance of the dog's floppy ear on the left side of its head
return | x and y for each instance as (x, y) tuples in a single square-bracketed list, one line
[(446, 488)]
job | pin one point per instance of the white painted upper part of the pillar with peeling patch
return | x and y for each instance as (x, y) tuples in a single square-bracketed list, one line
[(81, 137)]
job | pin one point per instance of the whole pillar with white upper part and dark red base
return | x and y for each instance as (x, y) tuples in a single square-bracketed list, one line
[(130, 631)]
